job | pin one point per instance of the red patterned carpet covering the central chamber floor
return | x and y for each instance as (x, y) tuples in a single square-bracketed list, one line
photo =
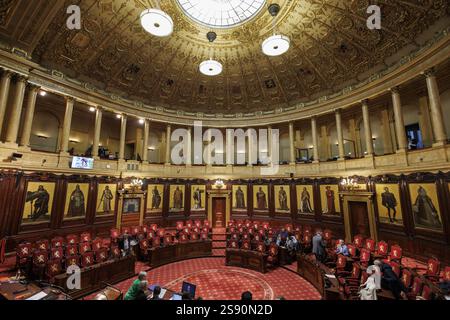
[(215, 281)]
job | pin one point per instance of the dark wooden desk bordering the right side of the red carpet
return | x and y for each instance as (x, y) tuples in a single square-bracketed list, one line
[(315, 273)]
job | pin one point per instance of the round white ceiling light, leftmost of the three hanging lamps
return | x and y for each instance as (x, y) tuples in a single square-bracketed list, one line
[(157, 22)]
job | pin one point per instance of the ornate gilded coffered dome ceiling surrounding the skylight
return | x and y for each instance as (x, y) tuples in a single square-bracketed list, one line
[(331, 47)]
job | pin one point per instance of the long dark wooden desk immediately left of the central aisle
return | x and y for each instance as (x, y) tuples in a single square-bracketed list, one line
[(181, 251)]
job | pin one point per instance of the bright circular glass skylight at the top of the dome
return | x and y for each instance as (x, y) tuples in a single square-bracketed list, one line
[(221, 13)]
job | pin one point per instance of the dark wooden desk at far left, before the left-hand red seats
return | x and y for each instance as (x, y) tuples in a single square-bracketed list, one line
[(94, 278)]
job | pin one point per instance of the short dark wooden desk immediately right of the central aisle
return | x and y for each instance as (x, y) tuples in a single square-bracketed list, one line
[(246, 259)]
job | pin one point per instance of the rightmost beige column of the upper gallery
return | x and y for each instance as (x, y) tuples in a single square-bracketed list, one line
[(437, 120)]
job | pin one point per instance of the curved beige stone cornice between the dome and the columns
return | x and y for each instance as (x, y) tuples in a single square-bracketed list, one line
[(433, 53)]
